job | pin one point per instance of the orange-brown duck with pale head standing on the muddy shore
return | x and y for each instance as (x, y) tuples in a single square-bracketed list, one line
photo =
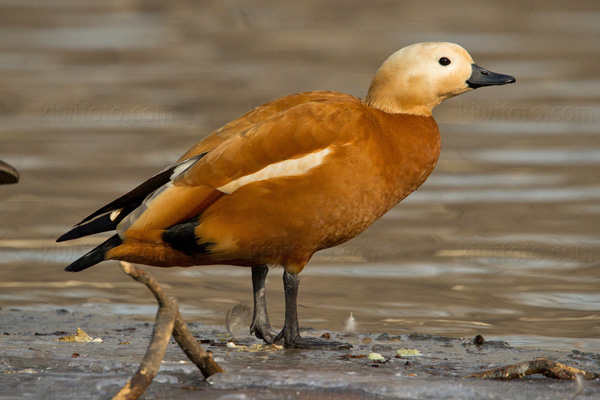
[(293, 176)]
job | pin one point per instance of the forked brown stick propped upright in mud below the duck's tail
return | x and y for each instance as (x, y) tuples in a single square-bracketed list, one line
[(168, 322)]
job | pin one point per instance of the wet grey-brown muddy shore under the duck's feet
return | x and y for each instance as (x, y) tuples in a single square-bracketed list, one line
[(35, 366)]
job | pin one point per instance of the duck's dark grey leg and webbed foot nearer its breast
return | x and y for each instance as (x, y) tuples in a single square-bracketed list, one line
[(291, 331)]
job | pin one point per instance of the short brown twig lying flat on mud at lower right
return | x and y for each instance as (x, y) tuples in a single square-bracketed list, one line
[(543, 366)]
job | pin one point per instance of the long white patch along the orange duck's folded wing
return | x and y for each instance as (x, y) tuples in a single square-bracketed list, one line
[(293, 167)]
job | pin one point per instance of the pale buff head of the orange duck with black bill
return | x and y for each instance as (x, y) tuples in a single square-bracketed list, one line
[(417, 78)]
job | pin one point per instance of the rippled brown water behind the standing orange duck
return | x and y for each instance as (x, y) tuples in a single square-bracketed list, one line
[(501, 241)]
